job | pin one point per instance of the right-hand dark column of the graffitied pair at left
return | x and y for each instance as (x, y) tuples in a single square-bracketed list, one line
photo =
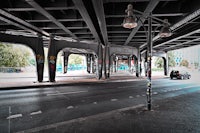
[(52, 58)]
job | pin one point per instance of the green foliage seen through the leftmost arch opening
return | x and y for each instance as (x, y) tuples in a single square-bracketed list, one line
[(13, 56)]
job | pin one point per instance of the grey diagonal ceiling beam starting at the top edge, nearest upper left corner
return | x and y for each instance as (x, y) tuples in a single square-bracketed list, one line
[(49, 16)]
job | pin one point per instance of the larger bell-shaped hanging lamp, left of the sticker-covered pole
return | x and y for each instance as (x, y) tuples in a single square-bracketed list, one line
[(130, 21)]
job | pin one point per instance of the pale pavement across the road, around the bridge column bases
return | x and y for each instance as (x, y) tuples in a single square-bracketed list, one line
[(28, 80)]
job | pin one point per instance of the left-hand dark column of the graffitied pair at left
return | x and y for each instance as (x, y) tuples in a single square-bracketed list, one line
[(39, 55)]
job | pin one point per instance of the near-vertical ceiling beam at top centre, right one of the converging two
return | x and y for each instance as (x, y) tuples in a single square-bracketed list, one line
[(99, 10)]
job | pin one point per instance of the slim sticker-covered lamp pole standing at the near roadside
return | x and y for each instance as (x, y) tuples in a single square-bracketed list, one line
[(149, 56)]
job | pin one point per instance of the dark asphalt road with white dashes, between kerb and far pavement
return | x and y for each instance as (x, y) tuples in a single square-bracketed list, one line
[(24, 109)]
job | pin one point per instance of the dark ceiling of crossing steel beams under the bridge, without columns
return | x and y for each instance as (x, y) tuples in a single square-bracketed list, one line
[(101, 20)]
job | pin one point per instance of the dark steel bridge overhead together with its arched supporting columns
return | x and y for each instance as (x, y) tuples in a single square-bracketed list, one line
[(94, 28)]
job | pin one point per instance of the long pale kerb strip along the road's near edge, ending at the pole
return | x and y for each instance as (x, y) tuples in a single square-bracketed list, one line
[(81, 119)]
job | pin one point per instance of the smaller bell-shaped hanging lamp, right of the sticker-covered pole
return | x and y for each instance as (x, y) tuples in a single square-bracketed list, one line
[(165, 30)]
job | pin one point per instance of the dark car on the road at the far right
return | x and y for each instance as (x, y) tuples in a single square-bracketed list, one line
[(179, 74)]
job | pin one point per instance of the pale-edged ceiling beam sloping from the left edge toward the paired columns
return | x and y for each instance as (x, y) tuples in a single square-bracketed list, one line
[(22, 22)]
